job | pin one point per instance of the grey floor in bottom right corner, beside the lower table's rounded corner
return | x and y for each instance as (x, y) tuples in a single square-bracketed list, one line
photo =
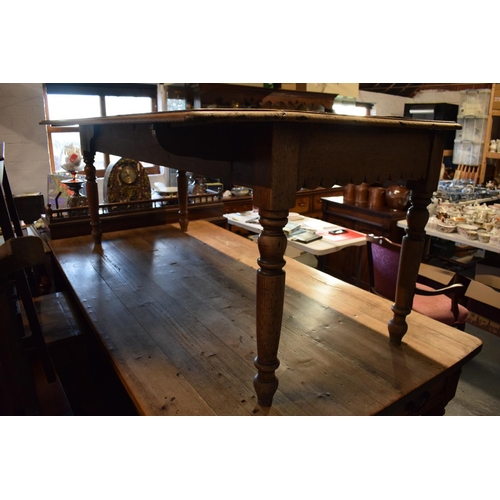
[(478, 391)]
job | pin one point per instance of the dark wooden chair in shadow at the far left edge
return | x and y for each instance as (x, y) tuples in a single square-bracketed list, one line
[(19, 253)]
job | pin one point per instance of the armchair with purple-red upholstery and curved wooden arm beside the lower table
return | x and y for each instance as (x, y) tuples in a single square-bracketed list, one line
[(439, 304)]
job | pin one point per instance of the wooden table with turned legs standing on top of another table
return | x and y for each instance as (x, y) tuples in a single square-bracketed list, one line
[(278, 152)]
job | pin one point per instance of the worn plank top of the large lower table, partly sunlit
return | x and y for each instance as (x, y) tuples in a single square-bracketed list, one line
[(176, 311)]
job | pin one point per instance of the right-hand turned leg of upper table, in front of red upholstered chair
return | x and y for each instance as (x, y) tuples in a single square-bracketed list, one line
[(409, 264)]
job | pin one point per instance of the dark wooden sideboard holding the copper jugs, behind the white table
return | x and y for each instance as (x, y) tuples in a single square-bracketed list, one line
[(348, 265)]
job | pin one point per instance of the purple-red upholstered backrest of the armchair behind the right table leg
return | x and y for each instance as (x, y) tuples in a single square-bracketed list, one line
[(383, 264)]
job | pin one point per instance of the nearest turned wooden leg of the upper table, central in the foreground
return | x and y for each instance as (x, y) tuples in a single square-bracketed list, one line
[(270, 296)]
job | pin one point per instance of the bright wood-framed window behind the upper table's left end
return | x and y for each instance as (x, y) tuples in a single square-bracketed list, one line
[(66, 101)]
